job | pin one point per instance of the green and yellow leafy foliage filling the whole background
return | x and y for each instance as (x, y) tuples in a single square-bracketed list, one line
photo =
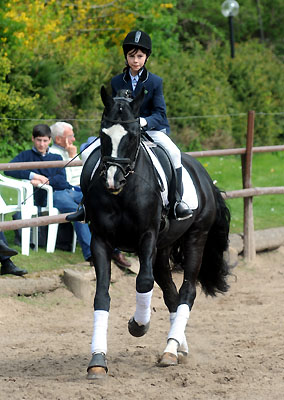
[(56, 55)]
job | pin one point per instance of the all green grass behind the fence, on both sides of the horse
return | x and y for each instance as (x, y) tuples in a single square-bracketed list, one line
[(267, 170)]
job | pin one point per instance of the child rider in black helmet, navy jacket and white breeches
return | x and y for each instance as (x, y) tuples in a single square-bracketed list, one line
[(137, 47)]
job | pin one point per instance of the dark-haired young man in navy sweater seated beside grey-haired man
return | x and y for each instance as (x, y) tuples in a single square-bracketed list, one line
[(66, 197)]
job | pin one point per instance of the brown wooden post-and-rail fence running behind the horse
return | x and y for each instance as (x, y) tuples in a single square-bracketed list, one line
[(247, 193)]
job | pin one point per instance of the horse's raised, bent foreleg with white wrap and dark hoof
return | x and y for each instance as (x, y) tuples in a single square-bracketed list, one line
[(139, 324)]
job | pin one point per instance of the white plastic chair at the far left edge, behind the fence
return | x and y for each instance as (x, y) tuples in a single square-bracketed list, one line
[(25, 205)]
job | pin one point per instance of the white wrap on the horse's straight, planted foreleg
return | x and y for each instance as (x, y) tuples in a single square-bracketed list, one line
[(99, 339)]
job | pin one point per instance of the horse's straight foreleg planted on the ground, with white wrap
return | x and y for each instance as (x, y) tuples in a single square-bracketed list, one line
[(101, 254)]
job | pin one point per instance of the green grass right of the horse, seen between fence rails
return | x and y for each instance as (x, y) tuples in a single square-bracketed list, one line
[(267, 170)]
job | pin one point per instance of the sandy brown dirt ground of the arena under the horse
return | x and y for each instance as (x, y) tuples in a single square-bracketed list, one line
[(236, 343)]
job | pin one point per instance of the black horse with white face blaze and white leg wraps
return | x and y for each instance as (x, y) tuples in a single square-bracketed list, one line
[(124, 207)]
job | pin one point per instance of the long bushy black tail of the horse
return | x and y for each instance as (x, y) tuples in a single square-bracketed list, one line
[(214, 269)]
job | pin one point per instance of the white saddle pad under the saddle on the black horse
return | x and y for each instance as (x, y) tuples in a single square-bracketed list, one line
[(189, 191)]
